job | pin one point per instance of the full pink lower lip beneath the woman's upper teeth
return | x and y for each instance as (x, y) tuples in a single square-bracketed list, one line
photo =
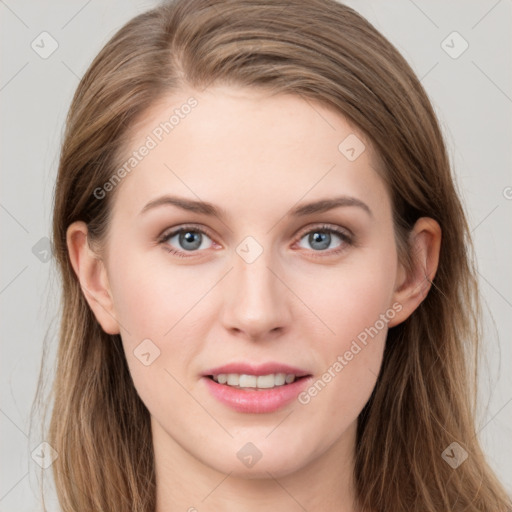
[(256, 401)]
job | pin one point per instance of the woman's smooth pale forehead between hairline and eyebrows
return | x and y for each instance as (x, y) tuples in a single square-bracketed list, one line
[(248, 147)]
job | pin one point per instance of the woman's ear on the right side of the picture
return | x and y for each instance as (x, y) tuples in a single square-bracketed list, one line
[(412, 288)]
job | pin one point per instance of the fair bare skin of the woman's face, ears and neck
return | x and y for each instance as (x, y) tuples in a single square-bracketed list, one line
[(256, 157)]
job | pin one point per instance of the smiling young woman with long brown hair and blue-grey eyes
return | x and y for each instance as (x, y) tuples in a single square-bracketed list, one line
[(269, 301)]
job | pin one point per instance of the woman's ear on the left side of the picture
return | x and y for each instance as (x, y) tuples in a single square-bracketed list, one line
[(92, 274)]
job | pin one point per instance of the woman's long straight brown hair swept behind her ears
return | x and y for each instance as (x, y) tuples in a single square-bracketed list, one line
[(425, 396)]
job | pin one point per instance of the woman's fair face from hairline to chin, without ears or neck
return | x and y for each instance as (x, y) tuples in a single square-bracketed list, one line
[(254, 284)]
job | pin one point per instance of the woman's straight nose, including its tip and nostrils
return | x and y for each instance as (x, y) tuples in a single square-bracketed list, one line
[(257, 303)]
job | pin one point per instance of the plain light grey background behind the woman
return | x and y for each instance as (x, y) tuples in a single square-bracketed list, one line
[(472, 95)]
